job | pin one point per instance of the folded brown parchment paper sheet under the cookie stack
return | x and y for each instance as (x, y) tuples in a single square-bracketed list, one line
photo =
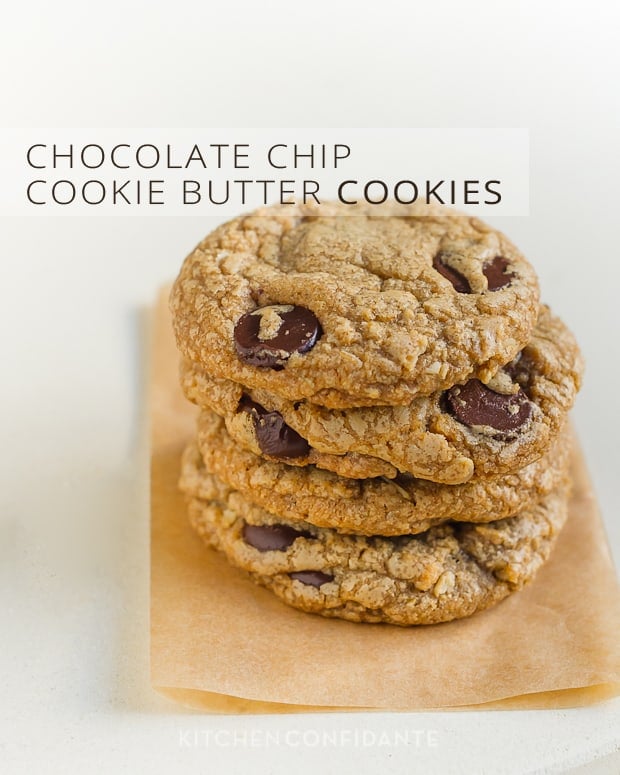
[(222, 644)]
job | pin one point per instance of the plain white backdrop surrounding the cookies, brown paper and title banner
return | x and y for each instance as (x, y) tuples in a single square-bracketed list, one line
[(74, 684)]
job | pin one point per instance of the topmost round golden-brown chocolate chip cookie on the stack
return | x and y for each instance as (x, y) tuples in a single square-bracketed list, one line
[(354, 311)]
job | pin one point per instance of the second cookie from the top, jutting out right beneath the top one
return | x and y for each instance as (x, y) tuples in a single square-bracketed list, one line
[(446, 437)]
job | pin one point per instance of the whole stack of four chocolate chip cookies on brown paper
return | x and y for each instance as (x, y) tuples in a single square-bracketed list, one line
[(382, 435)]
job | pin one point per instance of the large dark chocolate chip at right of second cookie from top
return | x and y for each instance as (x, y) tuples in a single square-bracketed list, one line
[(475, 404)]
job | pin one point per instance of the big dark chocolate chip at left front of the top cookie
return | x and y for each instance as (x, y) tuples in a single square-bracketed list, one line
[(268, 336)]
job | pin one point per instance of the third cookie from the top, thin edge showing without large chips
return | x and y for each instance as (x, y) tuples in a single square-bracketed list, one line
[(364, 506)]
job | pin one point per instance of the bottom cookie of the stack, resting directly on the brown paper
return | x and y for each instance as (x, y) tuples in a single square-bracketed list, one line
[(448, 572)]
